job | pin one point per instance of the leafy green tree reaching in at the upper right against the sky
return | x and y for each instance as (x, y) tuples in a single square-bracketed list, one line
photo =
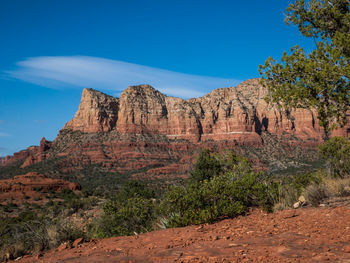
[(320, 79)]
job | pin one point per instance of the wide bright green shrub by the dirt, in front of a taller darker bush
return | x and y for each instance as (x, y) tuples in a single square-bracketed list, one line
[(224, 196)]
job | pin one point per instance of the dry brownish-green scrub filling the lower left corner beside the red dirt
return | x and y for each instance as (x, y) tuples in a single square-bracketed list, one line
[(32, 228)]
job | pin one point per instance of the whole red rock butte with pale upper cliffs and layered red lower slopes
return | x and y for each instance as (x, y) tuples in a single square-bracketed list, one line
[(149, 131)]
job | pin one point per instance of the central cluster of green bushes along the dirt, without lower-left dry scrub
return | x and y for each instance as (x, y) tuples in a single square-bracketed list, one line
[(220, 186)]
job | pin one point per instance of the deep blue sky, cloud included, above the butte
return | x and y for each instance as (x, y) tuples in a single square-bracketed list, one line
[(51, 50)]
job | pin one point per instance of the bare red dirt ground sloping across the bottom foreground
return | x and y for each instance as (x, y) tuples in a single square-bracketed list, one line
[(303, 235)]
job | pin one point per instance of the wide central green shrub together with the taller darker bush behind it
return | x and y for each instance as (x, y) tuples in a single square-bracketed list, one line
[(226, 190)]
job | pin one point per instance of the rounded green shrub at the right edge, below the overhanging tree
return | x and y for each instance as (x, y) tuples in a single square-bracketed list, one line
[(336, 153)]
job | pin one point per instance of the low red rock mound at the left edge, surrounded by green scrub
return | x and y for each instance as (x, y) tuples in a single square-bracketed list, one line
[(32, 185)]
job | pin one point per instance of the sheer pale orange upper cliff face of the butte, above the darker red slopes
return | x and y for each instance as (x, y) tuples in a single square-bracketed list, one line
[(237, 113)]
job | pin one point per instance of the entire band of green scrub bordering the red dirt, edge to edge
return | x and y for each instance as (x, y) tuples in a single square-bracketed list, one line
[(220, 186)]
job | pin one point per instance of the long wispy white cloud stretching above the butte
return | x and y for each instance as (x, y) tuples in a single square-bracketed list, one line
[(112, 75)]
